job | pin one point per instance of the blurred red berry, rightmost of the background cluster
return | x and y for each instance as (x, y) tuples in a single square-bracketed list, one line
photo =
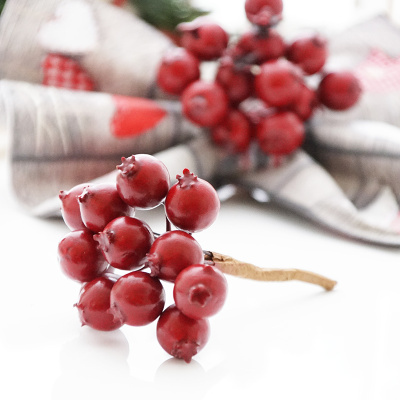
[(339, 90)]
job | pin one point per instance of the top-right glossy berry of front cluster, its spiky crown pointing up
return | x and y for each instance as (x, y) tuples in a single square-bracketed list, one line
[(192, 204)]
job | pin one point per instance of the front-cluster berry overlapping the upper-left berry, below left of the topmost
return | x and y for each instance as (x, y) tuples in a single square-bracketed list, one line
[(99, 204)]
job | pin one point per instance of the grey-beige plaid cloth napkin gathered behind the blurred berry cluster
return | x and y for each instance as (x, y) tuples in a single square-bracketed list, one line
[(369, 214)]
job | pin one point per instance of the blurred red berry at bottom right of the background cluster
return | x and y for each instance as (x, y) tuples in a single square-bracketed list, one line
[(280, 134)]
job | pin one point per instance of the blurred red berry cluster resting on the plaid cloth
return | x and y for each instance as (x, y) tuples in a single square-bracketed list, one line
[(264, 89)]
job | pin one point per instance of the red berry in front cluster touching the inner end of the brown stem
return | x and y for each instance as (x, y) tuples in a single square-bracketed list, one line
[(171, 253)]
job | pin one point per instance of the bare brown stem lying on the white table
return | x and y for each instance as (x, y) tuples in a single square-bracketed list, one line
[(241, 269)]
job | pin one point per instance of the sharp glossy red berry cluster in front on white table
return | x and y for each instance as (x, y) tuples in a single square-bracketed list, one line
[(105, 237)]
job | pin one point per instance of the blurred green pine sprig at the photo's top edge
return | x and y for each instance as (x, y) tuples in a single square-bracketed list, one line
[(166, 14)]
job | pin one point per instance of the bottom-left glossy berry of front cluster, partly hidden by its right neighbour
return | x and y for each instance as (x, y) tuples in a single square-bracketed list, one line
[(94, 304)]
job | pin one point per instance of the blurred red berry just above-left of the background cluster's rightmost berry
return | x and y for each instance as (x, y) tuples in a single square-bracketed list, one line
[(309, 53)]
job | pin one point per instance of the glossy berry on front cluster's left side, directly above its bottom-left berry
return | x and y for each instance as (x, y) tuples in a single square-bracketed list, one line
[(79, 257)]
